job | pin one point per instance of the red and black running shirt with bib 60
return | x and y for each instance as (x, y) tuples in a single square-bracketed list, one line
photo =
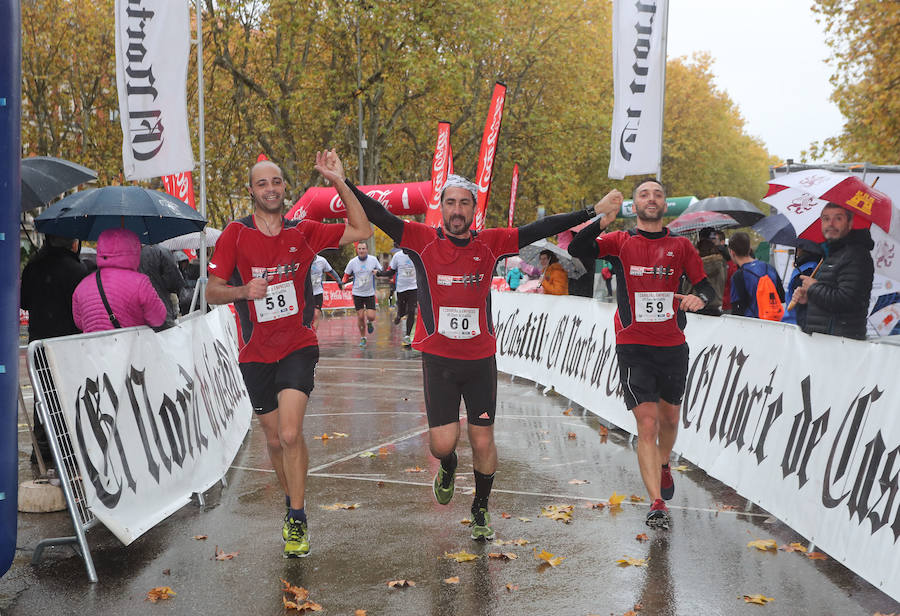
[(457, 274)]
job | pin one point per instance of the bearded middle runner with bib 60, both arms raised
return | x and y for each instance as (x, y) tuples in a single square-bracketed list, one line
[(454, 265)]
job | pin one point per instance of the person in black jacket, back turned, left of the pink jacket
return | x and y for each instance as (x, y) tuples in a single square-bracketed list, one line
[(48, 282)]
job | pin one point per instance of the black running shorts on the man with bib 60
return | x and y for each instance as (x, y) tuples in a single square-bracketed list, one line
[(448, 380)]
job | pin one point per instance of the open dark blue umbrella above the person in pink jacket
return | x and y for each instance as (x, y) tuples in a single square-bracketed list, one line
[(153, 215)]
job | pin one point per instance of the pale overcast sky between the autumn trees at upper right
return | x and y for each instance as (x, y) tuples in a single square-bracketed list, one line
[(769, 56)]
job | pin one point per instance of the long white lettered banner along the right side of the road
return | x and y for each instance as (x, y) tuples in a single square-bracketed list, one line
[(805, 426)]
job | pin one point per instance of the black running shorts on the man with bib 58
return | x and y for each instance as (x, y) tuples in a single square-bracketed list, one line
[(265, 381)]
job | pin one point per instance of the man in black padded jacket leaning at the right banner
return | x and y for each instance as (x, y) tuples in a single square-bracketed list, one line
[(837, 299)]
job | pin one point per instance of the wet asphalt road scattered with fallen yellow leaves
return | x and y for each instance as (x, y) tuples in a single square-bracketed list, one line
[(701, 566)]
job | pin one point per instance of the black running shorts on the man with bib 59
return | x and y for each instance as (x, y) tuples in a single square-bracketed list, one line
[(650, 373)]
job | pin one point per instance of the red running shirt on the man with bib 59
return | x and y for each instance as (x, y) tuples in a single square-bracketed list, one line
[(649, 266)]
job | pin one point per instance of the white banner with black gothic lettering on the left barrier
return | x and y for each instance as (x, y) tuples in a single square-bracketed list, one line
[(153, 418)]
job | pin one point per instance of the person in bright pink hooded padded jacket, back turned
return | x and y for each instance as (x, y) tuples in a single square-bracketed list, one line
[(132, 299)]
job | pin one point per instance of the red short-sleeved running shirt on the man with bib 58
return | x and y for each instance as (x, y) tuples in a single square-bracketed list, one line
[(243, 252)]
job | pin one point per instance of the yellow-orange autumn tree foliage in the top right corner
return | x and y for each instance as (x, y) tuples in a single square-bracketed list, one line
[(865, 38)]
